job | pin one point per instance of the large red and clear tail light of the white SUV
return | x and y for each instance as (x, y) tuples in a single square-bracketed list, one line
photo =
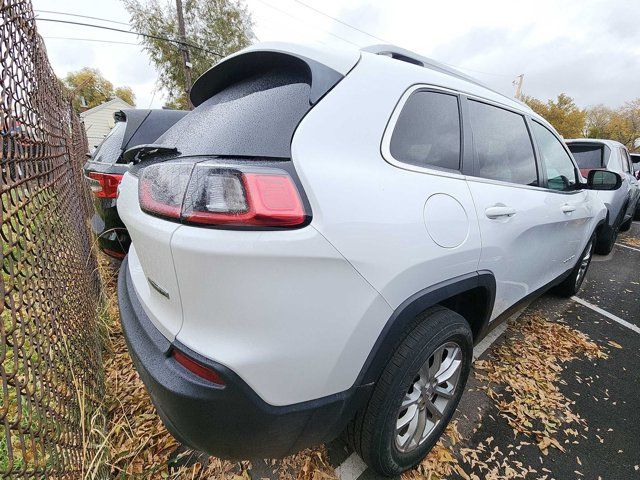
[(219, 195)]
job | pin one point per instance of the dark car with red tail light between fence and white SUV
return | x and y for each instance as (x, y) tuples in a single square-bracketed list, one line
[(106, 166)]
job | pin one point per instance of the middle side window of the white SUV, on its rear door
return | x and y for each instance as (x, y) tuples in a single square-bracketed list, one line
[(502, 145)]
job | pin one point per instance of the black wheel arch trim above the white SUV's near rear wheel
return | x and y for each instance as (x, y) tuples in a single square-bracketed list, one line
[(471, 295)]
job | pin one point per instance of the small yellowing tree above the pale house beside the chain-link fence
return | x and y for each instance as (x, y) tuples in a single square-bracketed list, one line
[(89, 84)]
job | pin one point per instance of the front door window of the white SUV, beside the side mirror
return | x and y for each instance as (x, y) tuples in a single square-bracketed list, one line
[(561, 172)]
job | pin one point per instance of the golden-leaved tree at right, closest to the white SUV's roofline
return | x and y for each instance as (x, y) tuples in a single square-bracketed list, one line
[(562, 113)]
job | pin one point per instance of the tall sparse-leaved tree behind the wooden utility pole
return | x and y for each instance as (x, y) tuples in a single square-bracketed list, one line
[(217, 27)]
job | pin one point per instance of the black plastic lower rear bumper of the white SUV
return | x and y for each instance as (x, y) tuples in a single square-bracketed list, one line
[(230, 421)]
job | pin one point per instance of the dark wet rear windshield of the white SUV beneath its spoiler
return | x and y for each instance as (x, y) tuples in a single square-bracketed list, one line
[(255, 117)]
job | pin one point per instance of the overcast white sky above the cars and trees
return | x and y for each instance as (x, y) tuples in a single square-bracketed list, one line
[(589, 49)]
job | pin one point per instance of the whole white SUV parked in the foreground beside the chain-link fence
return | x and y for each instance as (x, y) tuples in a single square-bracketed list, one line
[(319, 244)]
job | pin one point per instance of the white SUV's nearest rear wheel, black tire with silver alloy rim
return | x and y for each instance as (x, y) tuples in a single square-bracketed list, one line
[(437, 333)]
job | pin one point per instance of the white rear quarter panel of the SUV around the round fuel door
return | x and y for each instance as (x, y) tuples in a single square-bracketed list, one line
[(371, 211)]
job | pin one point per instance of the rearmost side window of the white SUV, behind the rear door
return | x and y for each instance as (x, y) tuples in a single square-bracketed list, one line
[(427, 132)]
